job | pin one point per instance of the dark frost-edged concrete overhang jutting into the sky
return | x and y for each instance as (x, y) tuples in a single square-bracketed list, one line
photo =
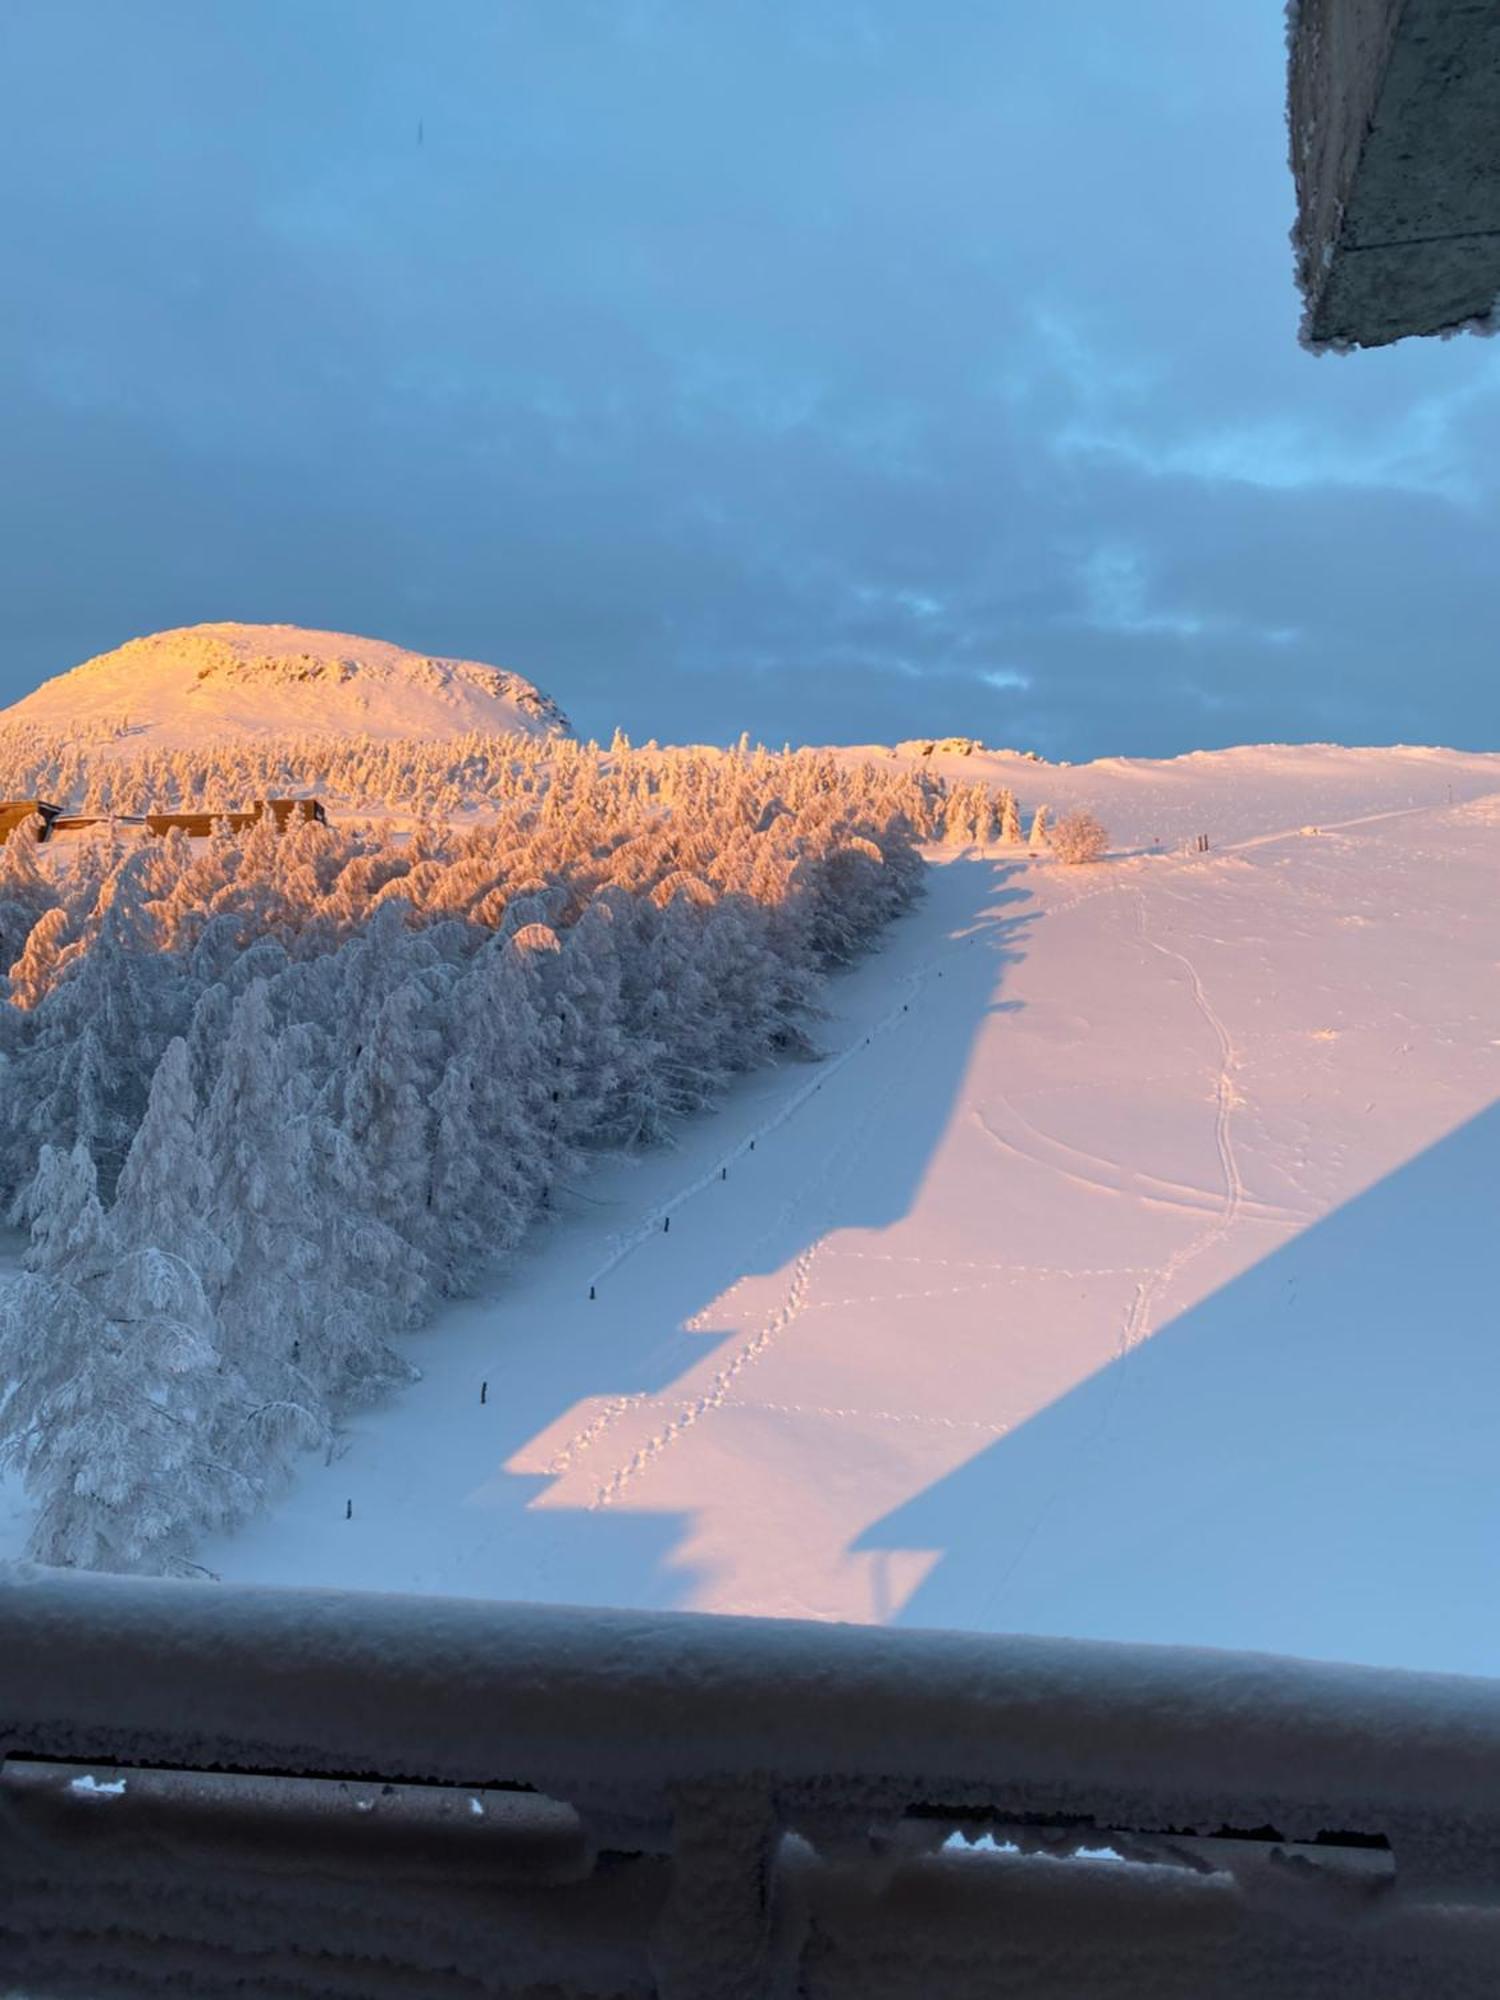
[(1395, 111)]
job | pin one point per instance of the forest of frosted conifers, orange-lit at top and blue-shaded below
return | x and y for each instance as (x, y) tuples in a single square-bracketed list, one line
[(273, 1095)]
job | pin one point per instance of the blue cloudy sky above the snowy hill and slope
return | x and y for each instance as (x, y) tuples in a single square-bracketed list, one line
[(829, 369)]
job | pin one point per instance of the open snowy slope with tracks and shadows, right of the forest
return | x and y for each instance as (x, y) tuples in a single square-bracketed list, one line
[(1129, 1269)]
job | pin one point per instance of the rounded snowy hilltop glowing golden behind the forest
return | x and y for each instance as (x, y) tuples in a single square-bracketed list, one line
[(217, 683)]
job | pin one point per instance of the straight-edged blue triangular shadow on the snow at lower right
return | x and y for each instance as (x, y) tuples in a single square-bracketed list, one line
[(1307, 1463)]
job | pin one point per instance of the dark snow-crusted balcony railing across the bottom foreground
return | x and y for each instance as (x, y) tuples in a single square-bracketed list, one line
[(323, 1793)]
